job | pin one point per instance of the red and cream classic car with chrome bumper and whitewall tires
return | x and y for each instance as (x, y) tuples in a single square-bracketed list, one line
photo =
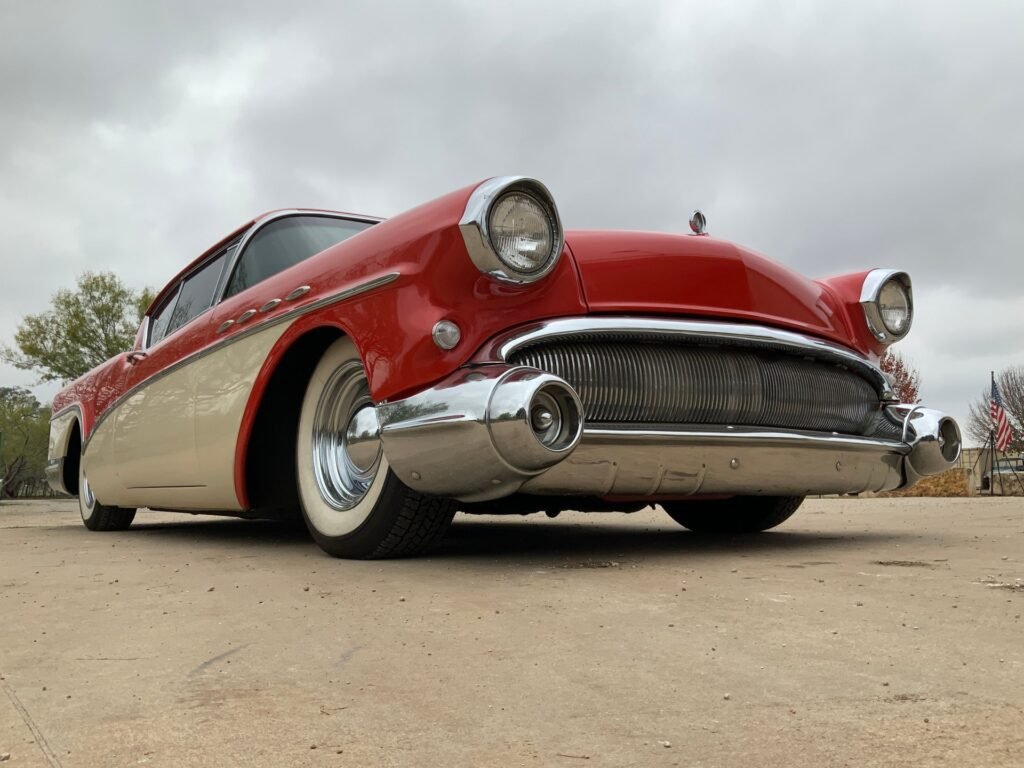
[(376, 376)]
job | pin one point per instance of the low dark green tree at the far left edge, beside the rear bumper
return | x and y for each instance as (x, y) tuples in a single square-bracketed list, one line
[(25, 430)]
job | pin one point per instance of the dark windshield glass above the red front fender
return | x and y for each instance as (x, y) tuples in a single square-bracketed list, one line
[(285, 243)]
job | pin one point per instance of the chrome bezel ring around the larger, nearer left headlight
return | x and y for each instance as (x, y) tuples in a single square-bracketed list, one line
[(476, 228)]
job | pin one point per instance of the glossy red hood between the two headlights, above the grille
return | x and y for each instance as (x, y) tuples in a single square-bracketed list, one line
[(657, 274)]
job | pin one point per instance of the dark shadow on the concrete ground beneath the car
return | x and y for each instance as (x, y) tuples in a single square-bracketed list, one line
[(472, 538)]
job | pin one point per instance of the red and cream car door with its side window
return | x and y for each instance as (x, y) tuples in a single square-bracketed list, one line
[(154, 433)]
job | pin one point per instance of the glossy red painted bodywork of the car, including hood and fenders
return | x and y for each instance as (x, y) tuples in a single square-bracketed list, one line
[(610, 273)]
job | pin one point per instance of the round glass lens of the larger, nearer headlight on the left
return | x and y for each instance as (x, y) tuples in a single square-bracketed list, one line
[(523, 232)]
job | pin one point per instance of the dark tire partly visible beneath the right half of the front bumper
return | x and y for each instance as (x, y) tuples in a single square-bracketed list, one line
[(742, 515)]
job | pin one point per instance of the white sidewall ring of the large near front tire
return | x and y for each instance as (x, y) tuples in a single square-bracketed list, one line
[(327, 521)]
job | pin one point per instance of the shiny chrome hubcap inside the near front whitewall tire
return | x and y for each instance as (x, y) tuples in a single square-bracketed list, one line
[(347, 442)]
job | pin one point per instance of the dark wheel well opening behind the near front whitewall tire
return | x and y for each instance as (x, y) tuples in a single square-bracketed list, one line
[(271, 479)]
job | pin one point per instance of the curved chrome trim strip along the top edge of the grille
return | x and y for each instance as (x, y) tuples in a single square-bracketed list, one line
[(746, 335)]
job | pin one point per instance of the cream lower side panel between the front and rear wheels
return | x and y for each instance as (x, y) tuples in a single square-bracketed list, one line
[(172, 443)]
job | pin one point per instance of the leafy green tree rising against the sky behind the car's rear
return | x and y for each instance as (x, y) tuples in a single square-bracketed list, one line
[(82, 328)]
